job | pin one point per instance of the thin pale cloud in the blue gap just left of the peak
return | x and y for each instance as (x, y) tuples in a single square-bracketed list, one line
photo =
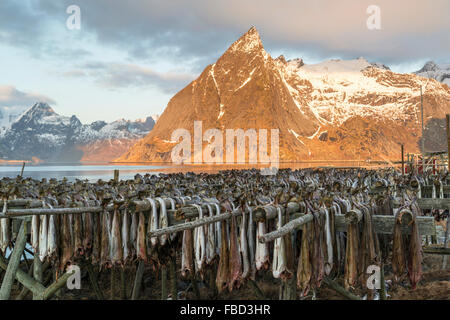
[(120, 75)]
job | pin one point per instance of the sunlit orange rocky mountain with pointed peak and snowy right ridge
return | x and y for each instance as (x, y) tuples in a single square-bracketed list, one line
[(332, 110)]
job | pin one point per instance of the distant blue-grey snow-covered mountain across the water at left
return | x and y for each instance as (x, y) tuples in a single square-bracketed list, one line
[(42, 133)]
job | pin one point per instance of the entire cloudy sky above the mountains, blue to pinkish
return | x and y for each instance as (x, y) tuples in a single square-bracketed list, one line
[(130, 57)]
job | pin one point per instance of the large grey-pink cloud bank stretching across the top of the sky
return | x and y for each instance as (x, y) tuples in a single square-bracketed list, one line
[(198, 31)]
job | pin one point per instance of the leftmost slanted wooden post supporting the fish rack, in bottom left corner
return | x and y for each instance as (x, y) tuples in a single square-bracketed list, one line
[(13, 265)]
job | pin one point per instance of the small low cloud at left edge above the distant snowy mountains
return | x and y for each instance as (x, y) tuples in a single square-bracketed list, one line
[(12, 97)]
